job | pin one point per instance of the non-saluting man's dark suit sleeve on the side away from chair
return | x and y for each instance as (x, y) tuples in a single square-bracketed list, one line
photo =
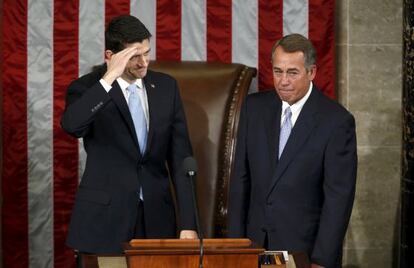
[(340, 167)]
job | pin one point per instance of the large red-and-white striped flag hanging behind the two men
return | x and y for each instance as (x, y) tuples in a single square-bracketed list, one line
[(46, 44)]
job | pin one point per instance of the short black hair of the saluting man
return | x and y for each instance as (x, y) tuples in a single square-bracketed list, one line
[(124, 30)]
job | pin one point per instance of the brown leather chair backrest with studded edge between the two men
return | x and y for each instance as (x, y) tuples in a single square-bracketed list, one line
[(212, 95)]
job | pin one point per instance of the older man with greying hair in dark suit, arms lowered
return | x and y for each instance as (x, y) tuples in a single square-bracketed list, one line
[(294, 177)]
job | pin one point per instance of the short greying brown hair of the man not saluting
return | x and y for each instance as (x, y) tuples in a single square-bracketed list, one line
[(294, 43)]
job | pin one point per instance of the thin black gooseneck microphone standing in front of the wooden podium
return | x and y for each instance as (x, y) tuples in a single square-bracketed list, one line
[(190, 170)]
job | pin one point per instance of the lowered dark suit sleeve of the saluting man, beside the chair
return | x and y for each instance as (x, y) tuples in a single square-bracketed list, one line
[(180, 148)]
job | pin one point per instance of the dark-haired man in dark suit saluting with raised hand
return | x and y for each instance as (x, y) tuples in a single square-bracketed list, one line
[(134, 130)]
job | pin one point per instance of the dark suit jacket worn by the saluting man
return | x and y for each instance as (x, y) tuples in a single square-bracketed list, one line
[(106, 202)]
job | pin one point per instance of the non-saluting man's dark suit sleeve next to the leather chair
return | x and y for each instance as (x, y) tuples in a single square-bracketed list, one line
[(239, 195)]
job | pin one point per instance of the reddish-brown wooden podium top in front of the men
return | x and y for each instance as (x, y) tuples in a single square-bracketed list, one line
[(183, 253)]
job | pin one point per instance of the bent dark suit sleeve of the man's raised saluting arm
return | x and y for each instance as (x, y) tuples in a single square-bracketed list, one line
[(82, 104)]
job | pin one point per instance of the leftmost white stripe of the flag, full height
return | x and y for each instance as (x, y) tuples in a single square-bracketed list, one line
[(39, 132)]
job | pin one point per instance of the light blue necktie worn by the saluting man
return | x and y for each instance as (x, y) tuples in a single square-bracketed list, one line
[(138, 116)]
